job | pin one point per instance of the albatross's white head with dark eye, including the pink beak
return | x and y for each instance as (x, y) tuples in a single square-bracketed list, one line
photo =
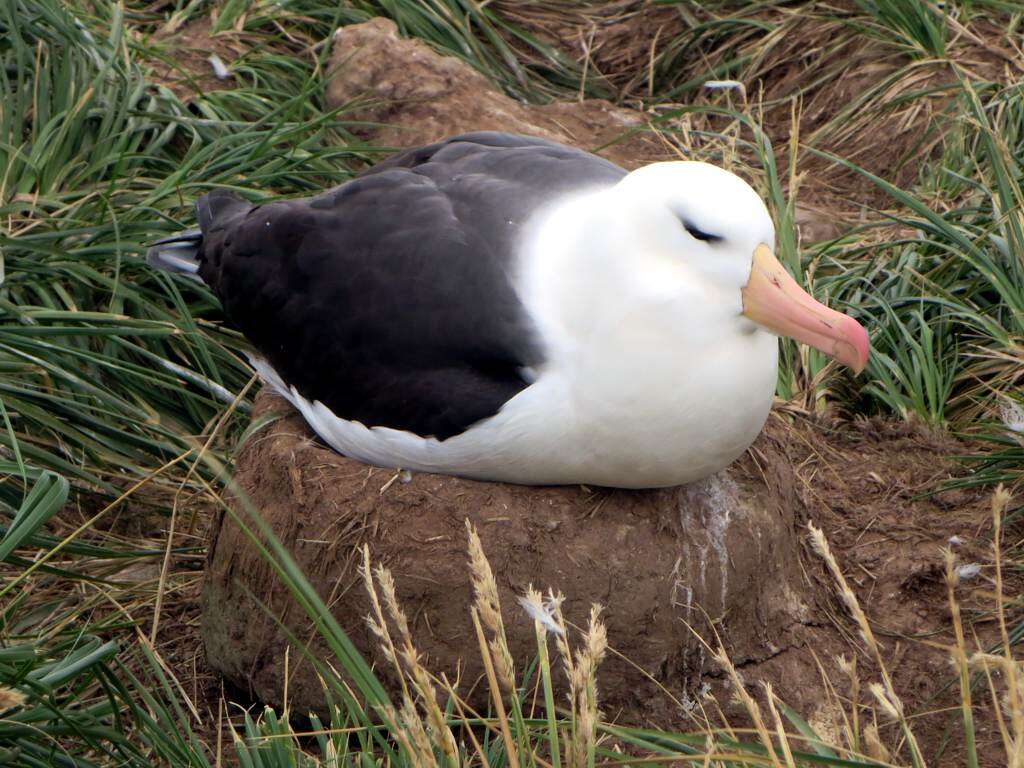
[(707, 240)]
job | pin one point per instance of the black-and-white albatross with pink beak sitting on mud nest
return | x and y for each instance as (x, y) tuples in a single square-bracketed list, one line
[(508, 309)]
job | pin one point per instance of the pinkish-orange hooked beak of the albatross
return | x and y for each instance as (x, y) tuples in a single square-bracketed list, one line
[(774, 300)]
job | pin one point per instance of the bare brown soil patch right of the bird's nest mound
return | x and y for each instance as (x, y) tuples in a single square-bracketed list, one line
[(867, 485)]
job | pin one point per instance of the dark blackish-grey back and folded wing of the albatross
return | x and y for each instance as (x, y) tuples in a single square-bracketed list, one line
[(389, 298)]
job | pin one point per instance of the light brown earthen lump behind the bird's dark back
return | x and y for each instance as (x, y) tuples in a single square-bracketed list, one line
[(418, 97)]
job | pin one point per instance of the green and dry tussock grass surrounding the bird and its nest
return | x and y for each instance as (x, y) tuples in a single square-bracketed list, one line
[(122, 395)]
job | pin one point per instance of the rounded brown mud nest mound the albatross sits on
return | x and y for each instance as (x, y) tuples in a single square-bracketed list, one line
[(659, 562)]
